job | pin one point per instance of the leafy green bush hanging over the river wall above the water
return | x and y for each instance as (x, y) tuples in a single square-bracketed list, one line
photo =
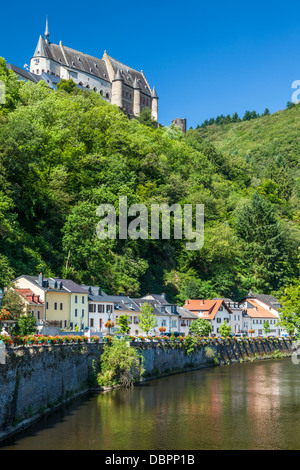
[(120, 365)]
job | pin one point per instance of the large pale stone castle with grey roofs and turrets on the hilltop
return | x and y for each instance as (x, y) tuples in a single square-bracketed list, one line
[(116, 82)]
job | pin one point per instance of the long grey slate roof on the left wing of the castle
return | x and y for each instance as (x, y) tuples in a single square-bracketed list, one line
[(71, 58)]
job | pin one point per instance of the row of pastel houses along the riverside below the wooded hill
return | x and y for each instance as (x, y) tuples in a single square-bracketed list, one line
[(80, 307)]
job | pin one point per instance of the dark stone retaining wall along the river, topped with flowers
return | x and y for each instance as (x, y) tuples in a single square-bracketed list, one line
[(40, 377)]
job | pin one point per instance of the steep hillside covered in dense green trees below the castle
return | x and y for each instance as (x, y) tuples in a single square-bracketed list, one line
[(64, 153)]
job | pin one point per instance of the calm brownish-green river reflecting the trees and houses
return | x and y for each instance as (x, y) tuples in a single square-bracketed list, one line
[(240, 406)]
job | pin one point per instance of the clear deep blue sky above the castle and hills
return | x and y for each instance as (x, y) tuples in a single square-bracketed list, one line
[(204, 58)]
